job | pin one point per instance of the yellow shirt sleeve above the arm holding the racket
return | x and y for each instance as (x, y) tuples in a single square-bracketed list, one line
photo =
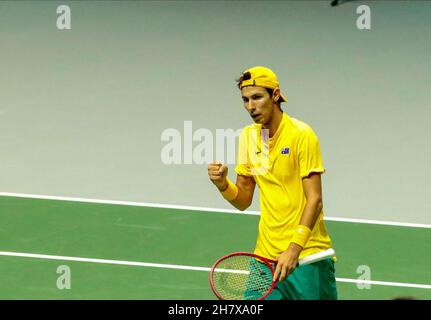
[(310, 157)]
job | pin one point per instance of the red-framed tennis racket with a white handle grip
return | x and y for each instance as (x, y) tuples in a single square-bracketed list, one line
[(247, 276)]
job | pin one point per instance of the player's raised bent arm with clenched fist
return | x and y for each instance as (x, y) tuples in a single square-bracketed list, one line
[(242, 197)]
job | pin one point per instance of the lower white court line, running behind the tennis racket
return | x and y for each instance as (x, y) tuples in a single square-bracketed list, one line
[(180, 267)]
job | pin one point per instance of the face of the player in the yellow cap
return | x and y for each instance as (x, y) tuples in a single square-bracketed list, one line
[(258, 103)]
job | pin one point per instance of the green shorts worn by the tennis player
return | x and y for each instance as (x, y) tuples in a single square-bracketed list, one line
[(315, 281)]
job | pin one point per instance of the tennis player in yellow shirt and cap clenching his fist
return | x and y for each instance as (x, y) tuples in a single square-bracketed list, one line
[(282, 156)]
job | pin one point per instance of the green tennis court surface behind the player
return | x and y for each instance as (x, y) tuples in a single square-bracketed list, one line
[(117, 251)]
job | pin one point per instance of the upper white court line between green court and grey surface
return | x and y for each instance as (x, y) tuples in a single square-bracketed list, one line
[(204, 209)]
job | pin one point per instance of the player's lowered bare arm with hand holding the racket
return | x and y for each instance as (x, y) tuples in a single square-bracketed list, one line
[(288, 260)]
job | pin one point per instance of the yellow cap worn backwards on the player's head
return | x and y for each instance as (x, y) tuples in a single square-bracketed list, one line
[(261, 77)]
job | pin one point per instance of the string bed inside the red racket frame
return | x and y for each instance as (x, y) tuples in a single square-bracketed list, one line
[(242, 278)]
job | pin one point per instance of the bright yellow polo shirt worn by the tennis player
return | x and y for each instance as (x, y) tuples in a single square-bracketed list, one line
[(278, 165)]
